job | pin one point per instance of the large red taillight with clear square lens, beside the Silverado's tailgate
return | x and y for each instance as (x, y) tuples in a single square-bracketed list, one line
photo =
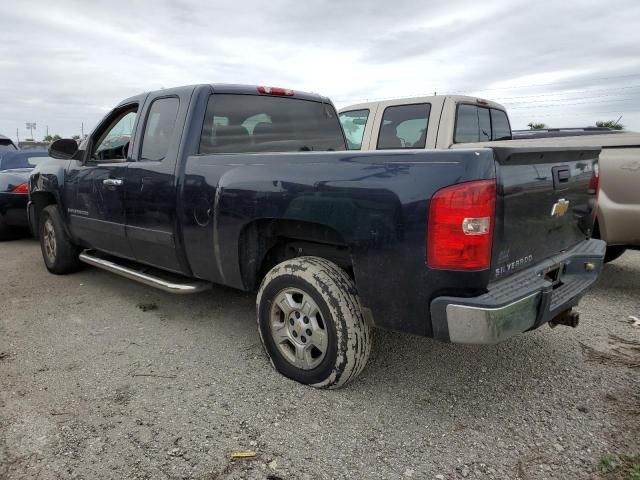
[(460, 229)]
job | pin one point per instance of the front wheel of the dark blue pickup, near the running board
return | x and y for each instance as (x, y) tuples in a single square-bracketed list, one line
[(61, 255)]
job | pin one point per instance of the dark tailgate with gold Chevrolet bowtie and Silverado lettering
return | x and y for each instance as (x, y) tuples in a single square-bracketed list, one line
[(545, 203)]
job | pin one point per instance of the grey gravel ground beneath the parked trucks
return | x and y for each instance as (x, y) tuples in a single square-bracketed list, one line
[(101, 377)]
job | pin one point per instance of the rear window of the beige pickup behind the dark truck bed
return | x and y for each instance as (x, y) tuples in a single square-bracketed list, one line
[(480, 124)]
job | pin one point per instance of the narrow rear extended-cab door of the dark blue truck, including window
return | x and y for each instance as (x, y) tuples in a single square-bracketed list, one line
[(151, 185)]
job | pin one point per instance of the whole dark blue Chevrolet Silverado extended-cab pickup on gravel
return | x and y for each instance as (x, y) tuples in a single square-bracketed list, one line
[(253, 187)]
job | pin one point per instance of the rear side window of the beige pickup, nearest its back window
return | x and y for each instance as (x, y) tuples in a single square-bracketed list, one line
[(404, 126)]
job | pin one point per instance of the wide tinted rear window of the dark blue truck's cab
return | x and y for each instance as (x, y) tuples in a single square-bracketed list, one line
[(237, 123)]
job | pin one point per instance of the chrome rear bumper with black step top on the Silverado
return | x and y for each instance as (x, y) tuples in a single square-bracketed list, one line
[(521, 302)]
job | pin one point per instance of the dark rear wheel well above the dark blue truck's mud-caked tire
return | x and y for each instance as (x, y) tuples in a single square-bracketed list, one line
[(265, 243)]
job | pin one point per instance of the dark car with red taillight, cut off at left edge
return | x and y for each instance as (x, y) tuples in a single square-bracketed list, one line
[(15, 168)]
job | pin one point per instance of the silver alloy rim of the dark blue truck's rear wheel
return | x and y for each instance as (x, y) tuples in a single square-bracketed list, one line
[(298, 328)]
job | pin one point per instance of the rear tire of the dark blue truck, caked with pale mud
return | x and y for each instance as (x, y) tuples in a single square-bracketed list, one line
[(348, 337)]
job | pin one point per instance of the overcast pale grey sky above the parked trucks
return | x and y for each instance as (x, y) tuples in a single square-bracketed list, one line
[(563, 63)]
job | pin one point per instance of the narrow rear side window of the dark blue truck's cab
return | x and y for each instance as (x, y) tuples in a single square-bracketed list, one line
[(158, 131)]
